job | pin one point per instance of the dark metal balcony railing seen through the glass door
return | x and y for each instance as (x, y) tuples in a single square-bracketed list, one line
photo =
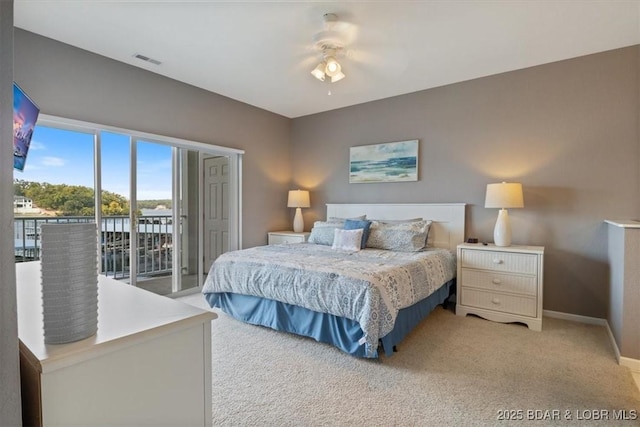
[(154, 243)]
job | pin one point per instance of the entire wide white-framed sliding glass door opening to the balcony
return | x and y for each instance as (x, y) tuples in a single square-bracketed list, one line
[(165, 208)]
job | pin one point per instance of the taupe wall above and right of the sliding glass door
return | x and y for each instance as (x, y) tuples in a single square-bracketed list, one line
[(72, 83)]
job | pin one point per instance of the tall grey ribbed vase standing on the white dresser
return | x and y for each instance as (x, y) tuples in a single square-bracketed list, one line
[(69, 269)]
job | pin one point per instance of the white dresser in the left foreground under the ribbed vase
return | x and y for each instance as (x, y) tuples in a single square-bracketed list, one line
[(149, 363)]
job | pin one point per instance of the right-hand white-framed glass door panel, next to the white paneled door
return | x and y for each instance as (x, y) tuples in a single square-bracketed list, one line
[(165, 186)]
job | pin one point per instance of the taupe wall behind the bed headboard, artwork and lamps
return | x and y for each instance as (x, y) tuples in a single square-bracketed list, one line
[(567, 130)]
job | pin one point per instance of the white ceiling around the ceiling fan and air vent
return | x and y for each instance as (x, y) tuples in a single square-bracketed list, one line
[(262, 52)]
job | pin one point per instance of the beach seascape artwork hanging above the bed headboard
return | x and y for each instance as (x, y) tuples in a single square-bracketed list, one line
[(388, 162)]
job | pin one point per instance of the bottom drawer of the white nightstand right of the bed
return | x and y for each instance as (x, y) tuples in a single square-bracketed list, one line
[(496, 301)]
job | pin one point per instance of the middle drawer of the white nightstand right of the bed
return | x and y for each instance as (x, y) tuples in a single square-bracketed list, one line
[(503, 282)]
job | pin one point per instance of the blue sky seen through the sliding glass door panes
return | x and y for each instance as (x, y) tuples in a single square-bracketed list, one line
[(59, 156)]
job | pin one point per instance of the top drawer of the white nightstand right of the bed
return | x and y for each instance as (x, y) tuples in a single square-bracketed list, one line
[(500, 261)]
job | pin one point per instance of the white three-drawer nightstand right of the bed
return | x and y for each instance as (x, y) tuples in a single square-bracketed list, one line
[(503, 284)]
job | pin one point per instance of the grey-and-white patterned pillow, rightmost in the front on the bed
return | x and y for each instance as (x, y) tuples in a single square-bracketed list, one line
[(403, 237)]
